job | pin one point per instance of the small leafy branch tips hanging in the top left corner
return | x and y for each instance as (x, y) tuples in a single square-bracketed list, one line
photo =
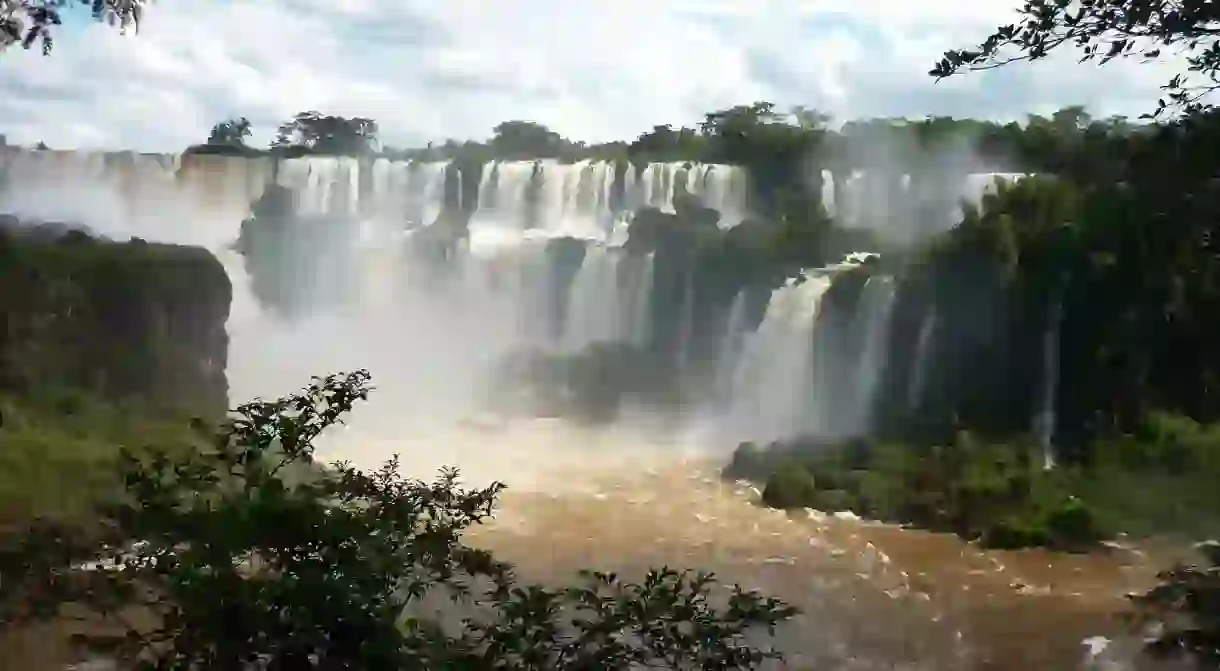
[(30, 23)]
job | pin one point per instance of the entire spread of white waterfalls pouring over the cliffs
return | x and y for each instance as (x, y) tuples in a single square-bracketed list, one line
[(407, 290)]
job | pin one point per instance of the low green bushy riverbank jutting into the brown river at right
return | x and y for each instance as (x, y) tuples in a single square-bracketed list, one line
[(1002, 493)]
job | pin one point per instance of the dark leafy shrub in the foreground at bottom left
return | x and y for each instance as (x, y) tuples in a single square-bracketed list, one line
[(254, 553)]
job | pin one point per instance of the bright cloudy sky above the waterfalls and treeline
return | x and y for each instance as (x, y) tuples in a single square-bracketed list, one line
[(591, 70)]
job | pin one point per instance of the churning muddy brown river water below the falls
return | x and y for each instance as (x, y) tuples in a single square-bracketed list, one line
[(873, 596)]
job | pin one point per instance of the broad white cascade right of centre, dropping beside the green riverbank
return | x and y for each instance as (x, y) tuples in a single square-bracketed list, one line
[(772, 384)]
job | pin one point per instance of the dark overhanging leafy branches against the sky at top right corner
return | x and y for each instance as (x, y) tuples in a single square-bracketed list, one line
[(1107, 30)]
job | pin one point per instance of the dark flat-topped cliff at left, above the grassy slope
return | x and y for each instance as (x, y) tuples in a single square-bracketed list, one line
[(123, 320)]
